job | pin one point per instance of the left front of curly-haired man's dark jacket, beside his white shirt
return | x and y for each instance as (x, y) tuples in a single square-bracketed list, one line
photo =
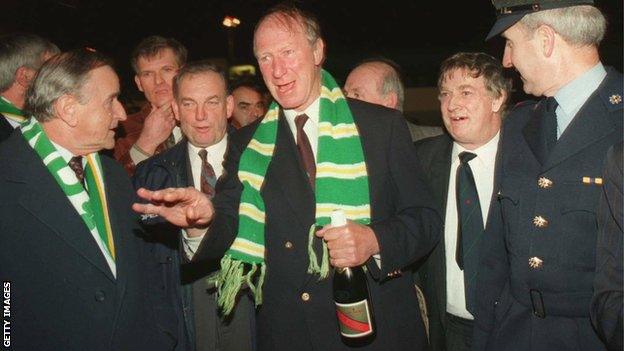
[(434, 155)]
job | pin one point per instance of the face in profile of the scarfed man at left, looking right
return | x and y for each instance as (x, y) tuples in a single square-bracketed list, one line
[(100, 113)]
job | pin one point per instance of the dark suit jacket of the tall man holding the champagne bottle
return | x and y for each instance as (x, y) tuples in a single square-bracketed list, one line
[(403, 219)]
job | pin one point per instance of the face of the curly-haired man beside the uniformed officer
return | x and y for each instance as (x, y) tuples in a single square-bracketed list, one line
[(470, 112)]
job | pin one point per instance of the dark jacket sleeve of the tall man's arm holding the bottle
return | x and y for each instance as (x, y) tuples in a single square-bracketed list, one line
[(413, 228)]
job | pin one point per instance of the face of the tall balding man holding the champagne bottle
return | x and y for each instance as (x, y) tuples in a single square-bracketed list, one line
[(290, 65)]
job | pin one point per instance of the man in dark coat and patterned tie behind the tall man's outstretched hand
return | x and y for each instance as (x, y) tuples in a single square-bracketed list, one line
[(201, 106)]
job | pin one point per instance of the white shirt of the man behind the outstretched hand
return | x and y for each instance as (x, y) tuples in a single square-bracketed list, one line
[(215, 157)]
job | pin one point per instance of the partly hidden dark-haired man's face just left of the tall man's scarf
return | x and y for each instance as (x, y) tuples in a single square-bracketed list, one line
[(249, 103)]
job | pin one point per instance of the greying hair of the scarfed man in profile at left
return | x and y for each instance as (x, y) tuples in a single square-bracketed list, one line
[(64, 74)]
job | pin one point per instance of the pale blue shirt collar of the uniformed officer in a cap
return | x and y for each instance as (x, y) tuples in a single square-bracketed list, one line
[(574, 94)]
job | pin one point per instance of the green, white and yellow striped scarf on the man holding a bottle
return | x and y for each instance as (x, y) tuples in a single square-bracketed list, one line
[(341, 183)]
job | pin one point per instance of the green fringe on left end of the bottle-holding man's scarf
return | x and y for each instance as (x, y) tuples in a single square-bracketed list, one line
[(230, 279)]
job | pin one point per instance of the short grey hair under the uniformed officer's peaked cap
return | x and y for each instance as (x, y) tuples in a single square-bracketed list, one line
[(582, 25)]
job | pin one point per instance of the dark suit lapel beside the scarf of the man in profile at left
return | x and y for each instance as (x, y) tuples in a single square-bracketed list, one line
[(45, 200)]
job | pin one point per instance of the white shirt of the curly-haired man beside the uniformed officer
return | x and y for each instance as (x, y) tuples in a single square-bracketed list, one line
[(482, 168)]
